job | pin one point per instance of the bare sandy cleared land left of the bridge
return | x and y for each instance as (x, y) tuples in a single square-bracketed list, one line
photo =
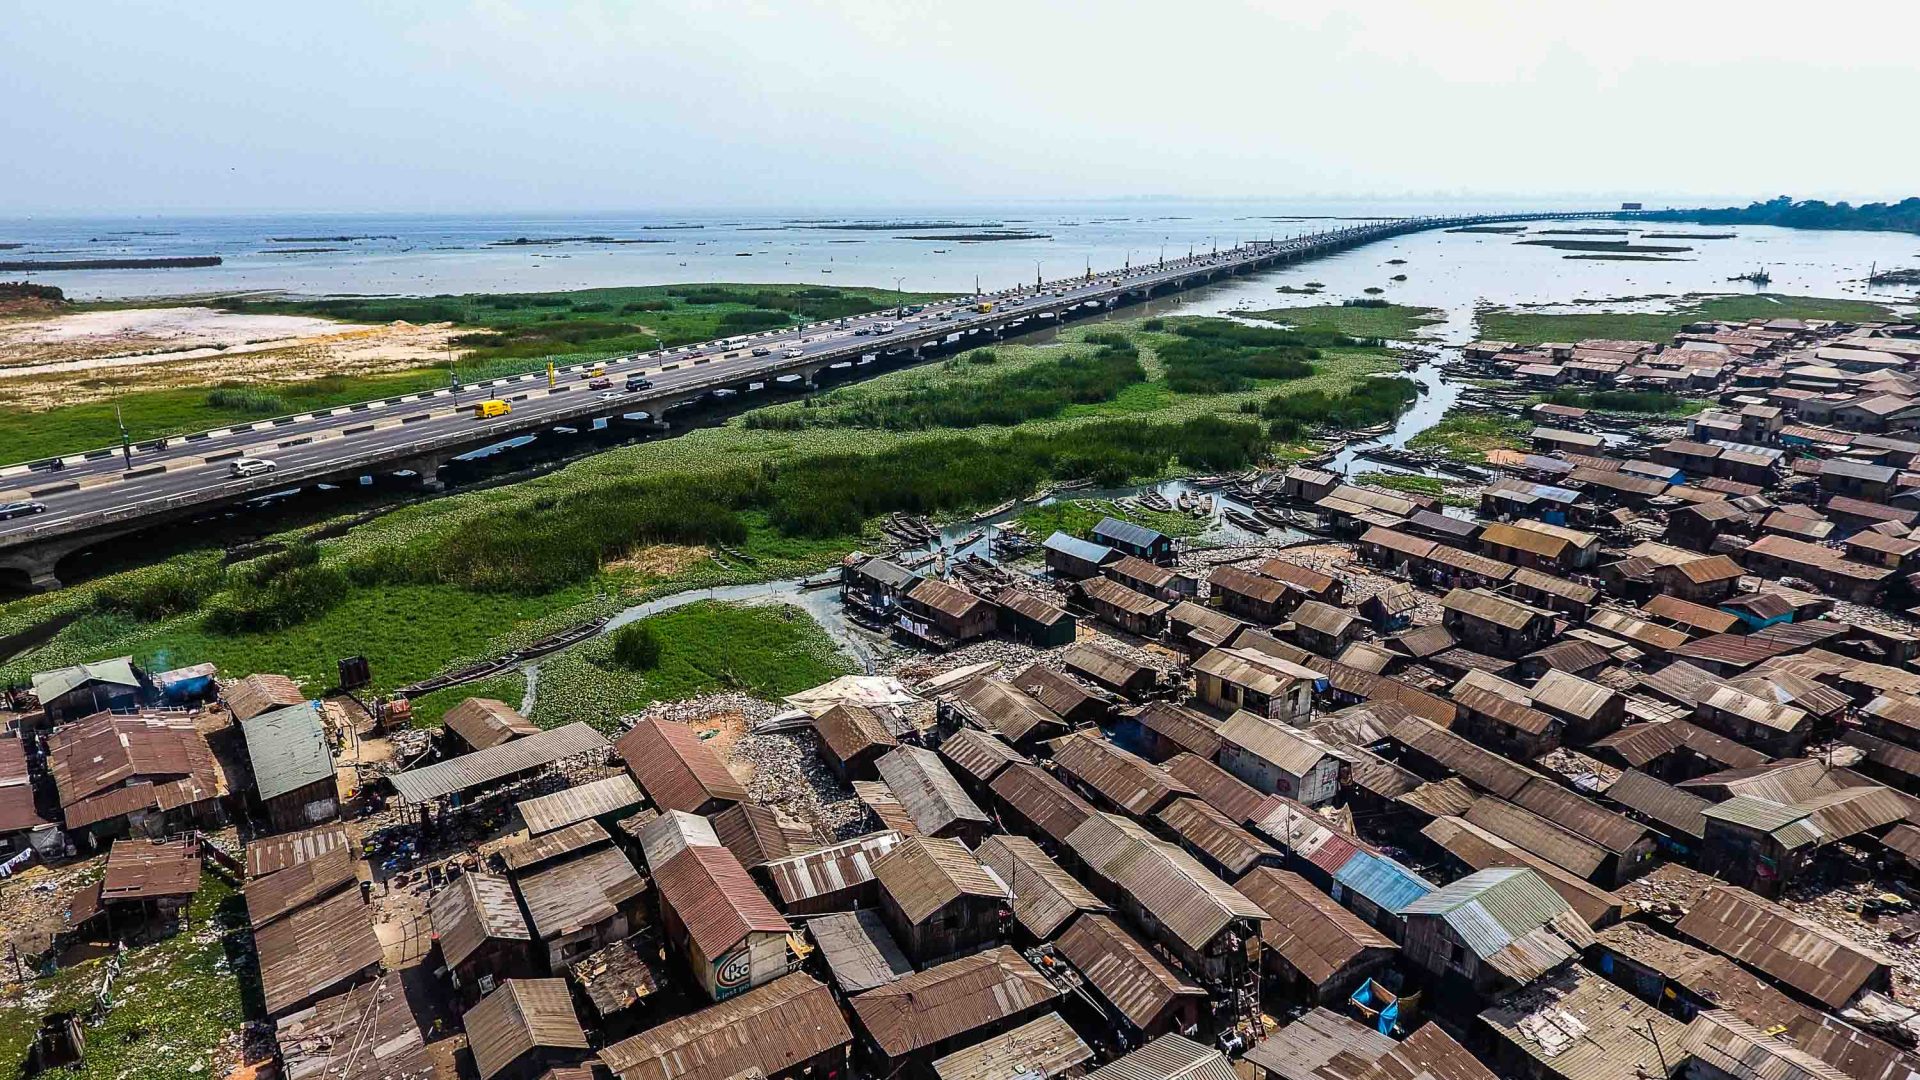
[(89, 356)]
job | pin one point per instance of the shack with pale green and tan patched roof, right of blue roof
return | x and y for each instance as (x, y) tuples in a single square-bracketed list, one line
[(1493, 929)]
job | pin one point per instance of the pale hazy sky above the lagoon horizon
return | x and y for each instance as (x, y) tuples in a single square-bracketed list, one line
[(581, 105)]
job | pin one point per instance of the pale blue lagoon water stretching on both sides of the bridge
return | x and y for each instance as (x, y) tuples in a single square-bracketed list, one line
[(420, 255)]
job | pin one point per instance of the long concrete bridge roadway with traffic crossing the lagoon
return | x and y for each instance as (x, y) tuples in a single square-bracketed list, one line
[(101, 495)]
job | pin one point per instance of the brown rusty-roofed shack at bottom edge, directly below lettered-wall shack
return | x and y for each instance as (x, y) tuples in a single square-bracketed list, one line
[(782, 1031)]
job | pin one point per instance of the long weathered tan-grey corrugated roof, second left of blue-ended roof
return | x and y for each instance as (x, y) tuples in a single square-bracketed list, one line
[(1166, 881)]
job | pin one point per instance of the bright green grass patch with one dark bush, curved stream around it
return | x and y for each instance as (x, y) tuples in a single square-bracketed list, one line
[(767, 650)]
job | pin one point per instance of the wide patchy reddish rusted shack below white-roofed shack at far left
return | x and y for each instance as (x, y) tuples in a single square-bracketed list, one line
[(147, 773)]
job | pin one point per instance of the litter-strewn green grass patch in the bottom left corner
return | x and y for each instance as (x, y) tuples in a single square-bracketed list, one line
[(176, 1002)]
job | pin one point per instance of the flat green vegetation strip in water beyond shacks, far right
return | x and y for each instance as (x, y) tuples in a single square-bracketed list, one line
[(1527, 328)]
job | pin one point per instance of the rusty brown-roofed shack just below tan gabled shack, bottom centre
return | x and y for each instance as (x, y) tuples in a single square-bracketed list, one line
[(926, 1016)]
